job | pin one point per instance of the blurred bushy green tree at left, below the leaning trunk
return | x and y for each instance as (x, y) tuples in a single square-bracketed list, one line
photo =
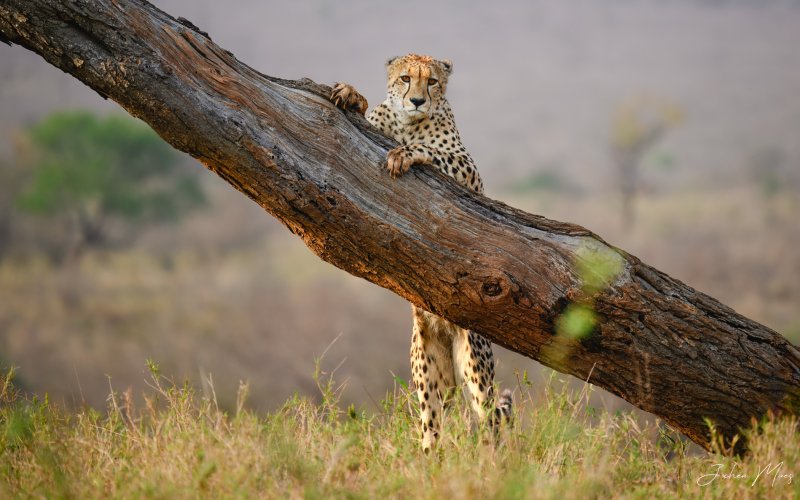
[(91, 169)]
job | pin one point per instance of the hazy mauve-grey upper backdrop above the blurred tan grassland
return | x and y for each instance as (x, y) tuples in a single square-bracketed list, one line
[(535, 82)]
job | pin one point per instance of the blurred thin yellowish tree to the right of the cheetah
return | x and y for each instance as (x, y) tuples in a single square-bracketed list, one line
[(637, 125)]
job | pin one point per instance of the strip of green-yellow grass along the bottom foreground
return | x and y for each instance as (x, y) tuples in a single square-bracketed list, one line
[(179, 443)]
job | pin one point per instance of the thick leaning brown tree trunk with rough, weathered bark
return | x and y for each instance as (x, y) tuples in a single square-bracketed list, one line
[(509, 275)]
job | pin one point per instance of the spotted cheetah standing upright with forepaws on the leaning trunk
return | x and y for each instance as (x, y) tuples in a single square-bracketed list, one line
[(418, 116)]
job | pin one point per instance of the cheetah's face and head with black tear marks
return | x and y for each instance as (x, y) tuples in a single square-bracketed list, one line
[(416, 85)]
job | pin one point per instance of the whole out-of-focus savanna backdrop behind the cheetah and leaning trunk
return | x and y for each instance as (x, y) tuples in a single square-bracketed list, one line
[(672, 129)]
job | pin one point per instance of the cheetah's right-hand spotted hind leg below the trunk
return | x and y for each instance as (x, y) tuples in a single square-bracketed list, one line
[(474, 365)]
